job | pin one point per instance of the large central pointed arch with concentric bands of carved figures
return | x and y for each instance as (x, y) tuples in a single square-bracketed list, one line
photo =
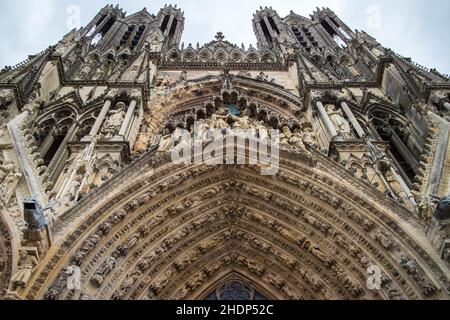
[(300, 234)]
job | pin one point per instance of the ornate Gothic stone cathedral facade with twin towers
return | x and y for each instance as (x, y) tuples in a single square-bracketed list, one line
[(93, 207)]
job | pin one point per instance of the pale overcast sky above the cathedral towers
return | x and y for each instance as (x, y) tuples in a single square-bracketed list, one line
[(414, 28)]
